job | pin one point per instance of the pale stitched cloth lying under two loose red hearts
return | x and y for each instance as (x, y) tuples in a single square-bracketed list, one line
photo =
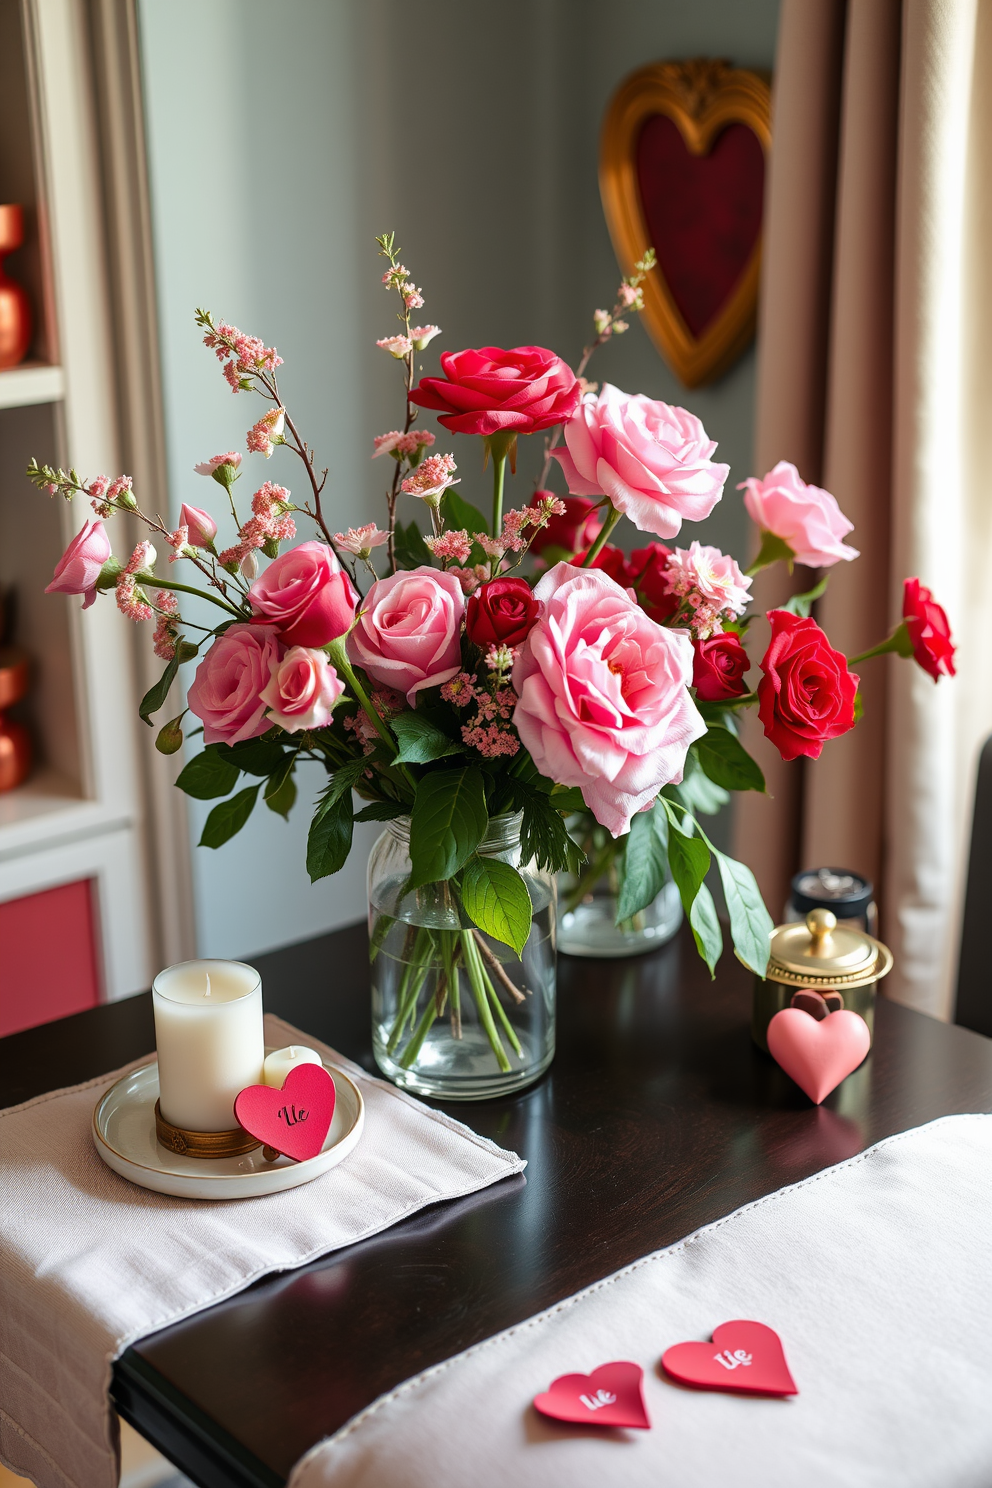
[(877, 1277)]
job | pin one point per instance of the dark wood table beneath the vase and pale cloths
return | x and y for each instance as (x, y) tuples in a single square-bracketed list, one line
[(658, 1117)]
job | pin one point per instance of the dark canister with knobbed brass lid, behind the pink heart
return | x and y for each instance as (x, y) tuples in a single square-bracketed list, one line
[(819, 963)]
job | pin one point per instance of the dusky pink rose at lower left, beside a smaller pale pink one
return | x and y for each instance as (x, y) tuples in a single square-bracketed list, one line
[(227, 691)]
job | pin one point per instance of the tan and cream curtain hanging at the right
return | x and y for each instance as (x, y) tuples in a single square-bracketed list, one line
[(874, 380)]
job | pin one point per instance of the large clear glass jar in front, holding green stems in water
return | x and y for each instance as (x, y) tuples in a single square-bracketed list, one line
[(457, 1014)]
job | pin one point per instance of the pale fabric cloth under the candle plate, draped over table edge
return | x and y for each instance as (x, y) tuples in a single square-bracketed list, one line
[(90, 1263)]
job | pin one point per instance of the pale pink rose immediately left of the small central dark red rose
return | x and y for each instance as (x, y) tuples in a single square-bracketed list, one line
[(408, 636)]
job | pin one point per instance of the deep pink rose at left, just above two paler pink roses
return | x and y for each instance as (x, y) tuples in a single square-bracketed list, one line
[(307, 594)]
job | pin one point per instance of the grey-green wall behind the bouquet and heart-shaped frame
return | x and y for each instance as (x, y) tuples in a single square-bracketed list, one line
[(282, 139)]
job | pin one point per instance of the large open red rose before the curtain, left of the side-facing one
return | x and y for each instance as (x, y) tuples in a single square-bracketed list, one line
[(807, 694)]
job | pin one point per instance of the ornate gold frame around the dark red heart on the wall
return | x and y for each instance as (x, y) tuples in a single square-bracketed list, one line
[(701, 97)]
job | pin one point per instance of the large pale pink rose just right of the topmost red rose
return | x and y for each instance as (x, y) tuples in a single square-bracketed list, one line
[(651, 461)]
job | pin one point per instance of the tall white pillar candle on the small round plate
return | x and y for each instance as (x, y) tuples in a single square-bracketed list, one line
[(209, 1038)]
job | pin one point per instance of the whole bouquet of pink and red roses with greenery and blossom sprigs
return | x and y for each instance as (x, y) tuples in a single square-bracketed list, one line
[(437, 681)]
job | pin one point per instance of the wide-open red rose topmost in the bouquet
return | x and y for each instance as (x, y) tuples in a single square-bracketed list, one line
[(490, 391)]
